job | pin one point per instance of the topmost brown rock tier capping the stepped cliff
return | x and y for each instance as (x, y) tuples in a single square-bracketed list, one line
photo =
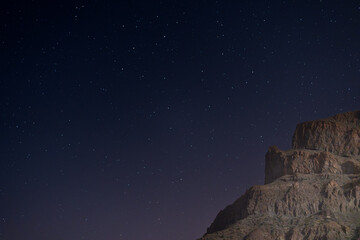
[(339, 134)]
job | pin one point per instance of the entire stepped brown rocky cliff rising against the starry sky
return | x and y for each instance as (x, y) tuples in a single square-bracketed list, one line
[(311, 191)]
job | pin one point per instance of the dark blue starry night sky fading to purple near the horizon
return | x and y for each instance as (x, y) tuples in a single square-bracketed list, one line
[(141, 120)]
